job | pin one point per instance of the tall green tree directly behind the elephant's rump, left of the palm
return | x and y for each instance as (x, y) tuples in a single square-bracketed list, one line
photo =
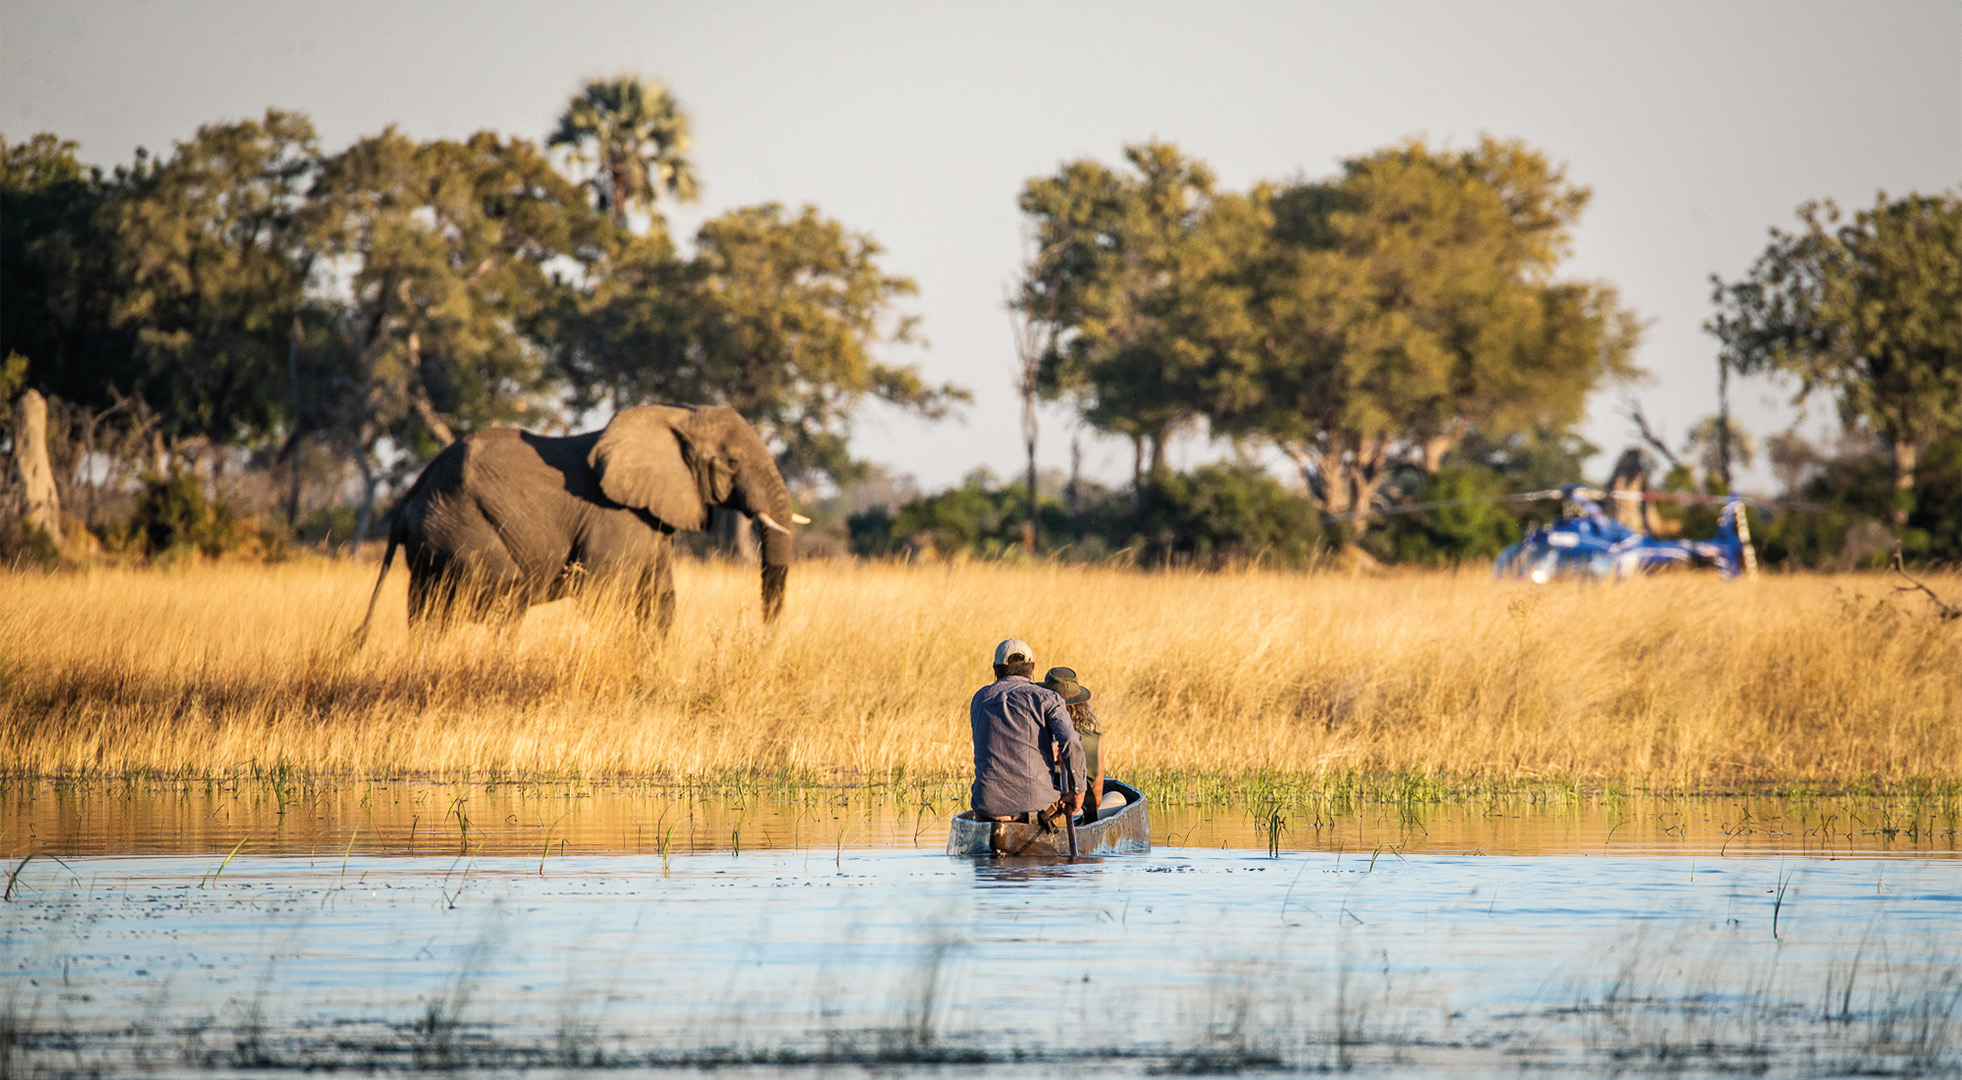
[(448, 254)]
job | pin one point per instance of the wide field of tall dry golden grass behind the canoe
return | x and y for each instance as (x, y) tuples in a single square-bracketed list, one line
[(1671, 682)]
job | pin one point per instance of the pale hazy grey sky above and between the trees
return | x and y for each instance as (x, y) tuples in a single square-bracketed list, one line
[(1698, 127)]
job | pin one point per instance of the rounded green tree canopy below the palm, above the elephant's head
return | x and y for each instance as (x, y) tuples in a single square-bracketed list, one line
[(776, 315)]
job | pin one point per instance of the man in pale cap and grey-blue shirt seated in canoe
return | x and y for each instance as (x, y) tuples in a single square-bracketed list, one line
[(1021, 729)]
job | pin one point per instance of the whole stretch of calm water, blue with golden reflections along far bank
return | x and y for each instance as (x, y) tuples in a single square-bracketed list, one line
[(1775, 938)]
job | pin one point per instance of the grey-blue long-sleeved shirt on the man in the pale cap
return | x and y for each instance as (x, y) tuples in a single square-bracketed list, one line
[(1017, 726)]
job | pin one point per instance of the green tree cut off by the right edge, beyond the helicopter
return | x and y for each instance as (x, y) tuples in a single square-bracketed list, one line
[(1867, 311)]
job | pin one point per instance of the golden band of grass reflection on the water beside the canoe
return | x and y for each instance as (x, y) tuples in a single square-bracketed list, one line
[(568, 820)]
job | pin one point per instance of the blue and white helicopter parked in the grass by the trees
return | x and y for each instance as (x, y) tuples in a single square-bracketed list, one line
[(1586, 543)]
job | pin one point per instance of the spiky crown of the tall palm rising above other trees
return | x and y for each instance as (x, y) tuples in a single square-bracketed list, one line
[(635, 136)]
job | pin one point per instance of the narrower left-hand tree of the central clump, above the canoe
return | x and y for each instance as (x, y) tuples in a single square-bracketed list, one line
[(1137, 276)]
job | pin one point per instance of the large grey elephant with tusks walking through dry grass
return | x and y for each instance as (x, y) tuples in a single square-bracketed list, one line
[(507, 519)]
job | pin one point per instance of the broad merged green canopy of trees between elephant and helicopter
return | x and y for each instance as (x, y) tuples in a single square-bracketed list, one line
[(1363, 325)]
